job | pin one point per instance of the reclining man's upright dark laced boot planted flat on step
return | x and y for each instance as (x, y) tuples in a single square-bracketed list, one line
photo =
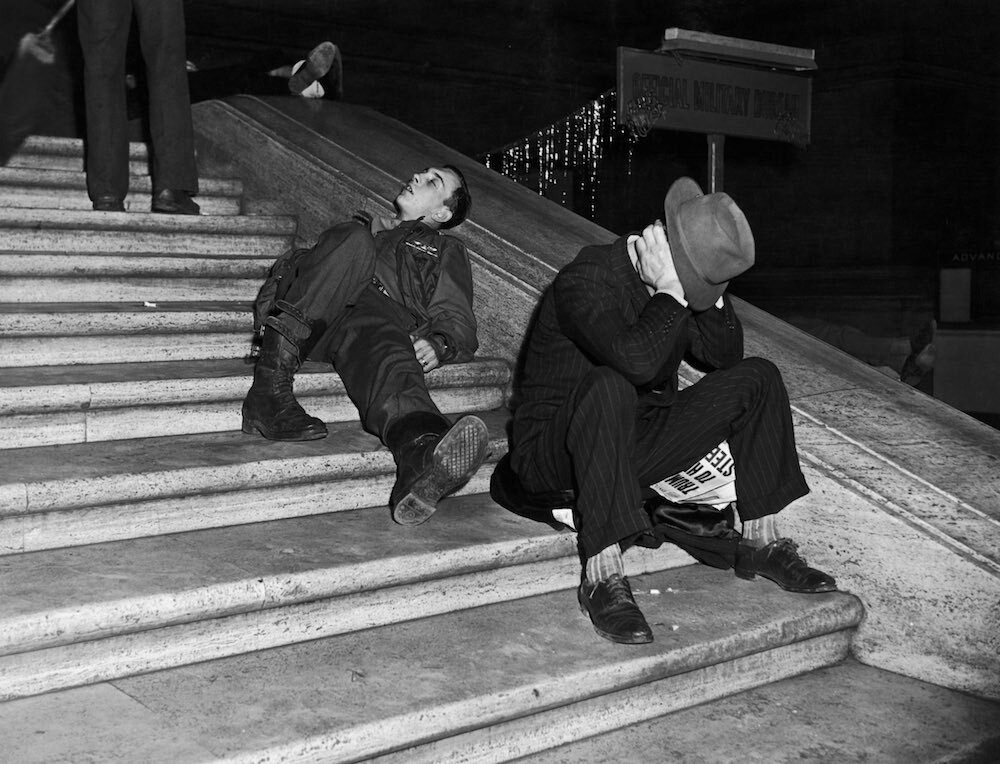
[(270, 406)]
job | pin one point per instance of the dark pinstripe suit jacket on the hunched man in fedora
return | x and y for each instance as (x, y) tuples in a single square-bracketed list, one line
[(599, 313)]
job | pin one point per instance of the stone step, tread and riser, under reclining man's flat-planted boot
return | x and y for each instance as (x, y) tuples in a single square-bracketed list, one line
[(72, 495)]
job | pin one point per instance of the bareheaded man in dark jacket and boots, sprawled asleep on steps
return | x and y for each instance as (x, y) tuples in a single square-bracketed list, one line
[(385, 302)]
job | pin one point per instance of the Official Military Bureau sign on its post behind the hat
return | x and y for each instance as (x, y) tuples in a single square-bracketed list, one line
[(719, 86)]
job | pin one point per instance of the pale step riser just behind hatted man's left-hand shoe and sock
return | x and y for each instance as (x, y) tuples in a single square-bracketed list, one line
[(31, 673)]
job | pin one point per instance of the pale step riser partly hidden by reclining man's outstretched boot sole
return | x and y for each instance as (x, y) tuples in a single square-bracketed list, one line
[(94, 525)]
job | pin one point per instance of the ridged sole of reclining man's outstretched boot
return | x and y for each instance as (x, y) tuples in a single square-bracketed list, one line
[(455, 459)]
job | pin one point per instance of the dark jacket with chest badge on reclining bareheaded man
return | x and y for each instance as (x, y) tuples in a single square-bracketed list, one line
[(428, 272)]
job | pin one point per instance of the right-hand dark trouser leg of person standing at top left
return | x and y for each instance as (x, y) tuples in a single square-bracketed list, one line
[(161, 36)]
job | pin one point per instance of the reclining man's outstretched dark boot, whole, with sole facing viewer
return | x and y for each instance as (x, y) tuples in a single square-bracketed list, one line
[(432, 461)]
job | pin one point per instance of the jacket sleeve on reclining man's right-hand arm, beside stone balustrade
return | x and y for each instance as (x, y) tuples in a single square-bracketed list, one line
[(451, 325)]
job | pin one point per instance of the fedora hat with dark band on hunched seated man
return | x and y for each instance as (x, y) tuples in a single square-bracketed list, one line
[(710, 240)]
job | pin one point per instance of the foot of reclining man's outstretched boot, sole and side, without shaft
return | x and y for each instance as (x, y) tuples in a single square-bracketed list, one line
[(435, 466)]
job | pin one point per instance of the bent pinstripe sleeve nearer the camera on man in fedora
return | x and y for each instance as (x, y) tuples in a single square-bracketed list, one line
[(589, 307)]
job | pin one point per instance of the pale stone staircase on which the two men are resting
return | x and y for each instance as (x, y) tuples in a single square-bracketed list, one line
[(172, 589)]
